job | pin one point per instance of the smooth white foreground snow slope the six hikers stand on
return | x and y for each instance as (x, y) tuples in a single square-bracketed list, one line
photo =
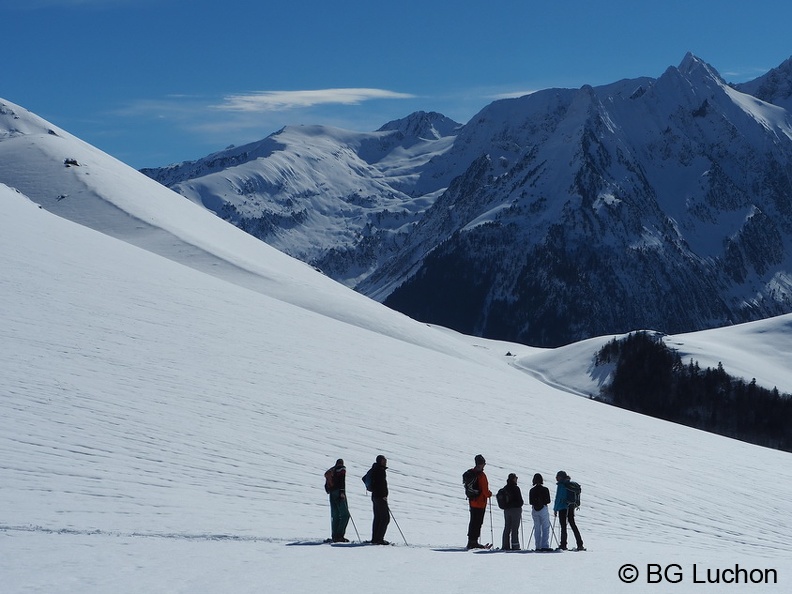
[(150, 409)]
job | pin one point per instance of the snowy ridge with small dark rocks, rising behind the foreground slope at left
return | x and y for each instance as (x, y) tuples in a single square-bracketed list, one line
[(102, 193)]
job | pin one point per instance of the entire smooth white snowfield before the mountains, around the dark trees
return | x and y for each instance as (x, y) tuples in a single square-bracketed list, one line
[(173, 390)]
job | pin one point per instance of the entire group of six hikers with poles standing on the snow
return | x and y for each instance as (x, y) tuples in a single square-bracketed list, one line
[(479, 496)]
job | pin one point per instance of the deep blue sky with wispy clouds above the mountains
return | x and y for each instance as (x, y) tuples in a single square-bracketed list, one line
[(154, 82)]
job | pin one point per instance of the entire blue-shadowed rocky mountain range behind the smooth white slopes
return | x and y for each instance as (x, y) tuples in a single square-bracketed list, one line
[(661, 203)]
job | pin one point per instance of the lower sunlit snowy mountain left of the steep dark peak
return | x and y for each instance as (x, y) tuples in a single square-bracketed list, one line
[(339, 200)]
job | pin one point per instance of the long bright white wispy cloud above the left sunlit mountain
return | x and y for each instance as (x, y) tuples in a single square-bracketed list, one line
[(284, 100)]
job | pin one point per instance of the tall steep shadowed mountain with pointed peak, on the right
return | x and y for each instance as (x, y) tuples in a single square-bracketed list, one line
[(663, 204)]
